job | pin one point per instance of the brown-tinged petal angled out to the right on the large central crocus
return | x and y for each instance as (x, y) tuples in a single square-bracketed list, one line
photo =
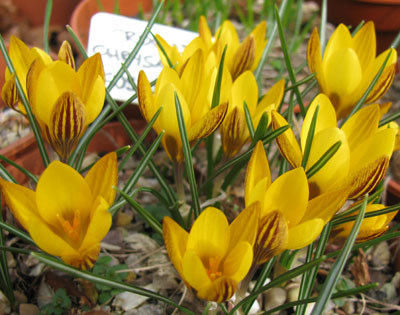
[(208, 123)]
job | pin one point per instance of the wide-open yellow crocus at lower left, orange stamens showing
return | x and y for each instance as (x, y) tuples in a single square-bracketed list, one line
[(67, 214)]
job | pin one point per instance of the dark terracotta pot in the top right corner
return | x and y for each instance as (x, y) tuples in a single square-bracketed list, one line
[(384, 13)]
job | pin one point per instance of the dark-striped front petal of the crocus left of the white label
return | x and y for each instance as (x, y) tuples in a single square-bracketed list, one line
[(67, 124)]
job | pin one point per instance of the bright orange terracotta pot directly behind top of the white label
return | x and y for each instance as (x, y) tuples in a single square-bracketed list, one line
[(80, 20)]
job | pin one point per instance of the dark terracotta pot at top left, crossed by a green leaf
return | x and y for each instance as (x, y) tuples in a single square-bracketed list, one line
[(34, 11)]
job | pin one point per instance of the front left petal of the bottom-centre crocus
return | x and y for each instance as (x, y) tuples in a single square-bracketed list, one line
[(194, 271)]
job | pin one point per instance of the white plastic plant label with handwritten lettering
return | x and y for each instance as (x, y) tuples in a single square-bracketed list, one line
[(114, 37)]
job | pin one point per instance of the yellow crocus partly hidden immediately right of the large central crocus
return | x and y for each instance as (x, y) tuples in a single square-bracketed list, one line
[(234, 129)]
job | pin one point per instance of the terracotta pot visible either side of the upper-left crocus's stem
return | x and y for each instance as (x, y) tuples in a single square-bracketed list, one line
[(25, 152)]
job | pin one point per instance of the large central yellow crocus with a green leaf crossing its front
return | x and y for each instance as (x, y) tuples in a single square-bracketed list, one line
[(192, 90)]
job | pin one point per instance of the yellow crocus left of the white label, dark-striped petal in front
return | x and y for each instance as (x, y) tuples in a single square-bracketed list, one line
[(65, 101)]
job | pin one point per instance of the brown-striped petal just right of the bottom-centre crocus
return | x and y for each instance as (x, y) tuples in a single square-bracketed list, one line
[(272, 236)]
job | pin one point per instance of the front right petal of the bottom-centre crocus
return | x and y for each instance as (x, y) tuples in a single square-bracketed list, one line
[(238, 261)]
